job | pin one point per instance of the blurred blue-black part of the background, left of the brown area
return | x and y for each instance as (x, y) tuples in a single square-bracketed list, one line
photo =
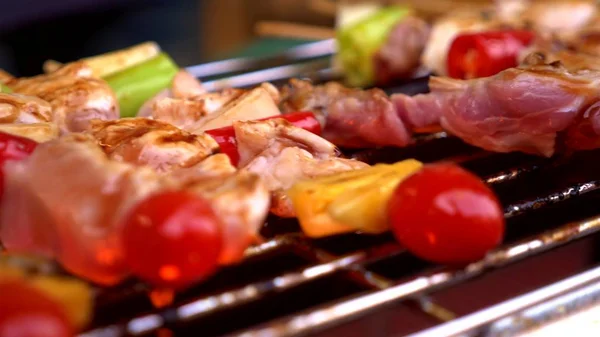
[(32, 31)]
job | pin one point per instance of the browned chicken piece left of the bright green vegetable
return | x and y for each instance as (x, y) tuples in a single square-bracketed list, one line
[(75, 95)]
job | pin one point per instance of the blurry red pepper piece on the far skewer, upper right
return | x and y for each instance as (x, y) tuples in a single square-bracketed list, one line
[(486, 53)]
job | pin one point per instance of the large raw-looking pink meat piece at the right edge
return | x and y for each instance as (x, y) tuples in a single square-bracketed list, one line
[(520, 109)]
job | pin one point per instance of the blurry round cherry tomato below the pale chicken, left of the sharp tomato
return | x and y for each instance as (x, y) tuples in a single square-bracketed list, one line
[(172, 239)]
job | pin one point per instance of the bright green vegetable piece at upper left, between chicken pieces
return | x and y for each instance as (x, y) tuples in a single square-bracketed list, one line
[(135, 85)]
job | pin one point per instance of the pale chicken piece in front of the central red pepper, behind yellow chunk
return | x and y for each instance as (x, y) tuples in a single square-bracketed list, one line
[(283, 154)]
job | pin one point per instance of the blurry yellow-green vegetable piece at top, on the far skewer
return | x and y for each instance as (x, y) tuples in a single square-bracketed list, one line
[(358, 43)]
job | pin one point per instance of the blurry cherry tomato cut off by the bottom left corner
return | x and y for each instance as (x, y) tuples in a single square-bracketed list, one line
[(28, 312)]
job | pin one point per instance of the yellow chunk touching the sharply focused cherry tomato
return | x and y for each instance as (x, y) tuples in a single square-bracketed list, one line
[(350, 201)]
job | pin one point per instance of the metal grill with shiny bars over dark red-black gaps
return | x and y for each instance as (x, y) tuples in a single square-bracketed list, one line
[(546, 274)]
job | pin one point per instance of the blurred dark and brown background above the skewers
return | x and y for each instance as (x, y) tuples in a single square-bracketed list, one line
[(191, 31)]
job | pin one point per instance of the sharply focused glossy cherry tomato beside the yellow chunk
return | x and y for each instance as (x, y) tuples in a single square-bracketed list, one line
[(446, 214)]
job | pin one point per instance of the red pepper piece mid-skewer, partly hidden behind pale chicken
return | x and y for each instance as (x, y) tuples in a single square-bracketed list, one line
[(225, 136)]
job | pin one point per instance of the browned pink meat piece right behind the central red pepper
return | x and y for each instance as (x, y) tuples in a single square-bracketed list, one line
[(352, 117)]
